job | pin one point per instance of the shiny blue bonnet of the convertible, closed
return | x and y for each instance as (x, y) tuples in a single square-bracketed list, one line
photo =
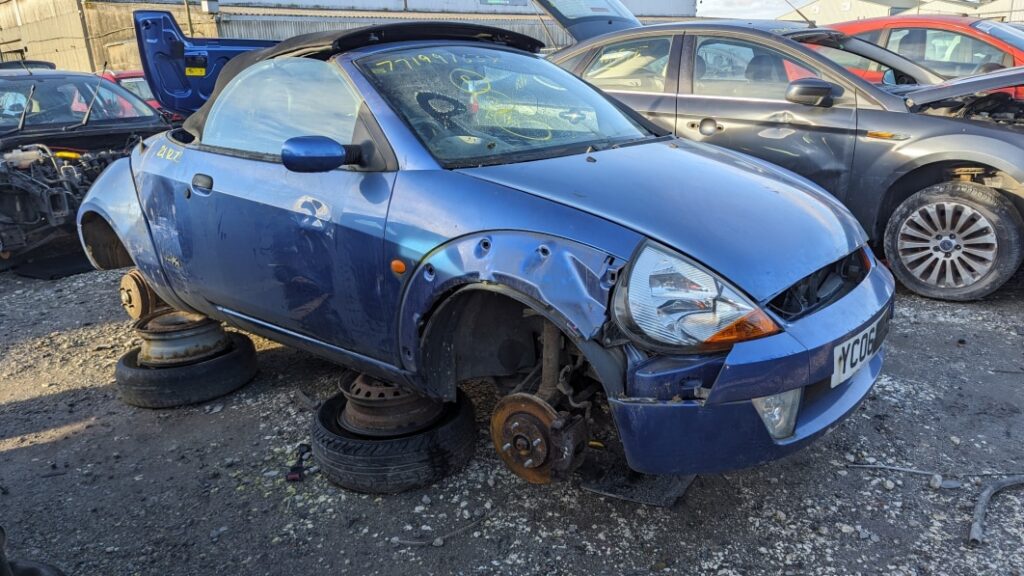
[(759, 227)]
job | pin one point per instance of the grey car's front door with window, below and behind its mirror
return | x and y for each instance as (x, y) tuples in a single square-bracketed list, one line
[(734, 95)]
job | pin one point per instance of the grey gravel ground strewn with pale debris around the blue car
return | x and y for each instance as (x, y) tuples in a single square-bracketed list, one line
[(100, 488)]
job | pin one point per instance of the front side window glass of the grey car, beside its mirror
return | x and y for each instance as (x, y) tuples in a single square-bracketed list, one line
[(723, 67)]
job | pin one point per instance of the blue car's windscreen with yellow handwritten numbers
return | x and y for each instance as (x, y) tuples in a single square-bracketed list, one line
[(474, 106)]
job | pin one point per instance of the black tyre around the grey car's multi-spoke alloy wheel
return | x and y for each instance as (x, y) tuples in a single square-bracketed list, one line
[(1006, 223)]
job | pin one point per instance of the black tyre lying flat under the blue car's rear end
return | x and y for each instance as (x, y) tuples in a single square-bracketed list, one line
[(192, 384)]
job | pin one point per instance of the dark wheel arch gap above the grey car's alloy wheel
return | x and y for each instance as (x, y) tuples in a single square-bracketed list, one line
[(924, 177)]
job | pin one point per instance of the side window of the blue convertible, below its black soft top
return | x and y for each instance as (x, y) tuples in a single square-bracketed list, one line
[(283, 99)]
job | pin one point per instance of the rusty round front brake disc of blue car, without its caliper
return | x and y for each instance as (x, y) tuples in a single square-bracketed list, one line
[(521, 431)]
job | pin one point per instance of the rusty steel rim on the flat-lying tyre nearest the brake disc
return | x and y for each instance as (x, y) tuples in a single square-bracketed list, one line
[(378, 409)]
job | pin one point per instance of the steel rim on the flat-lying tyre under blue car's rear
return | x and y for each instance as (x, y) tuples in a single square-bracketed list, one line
[(176, 339)]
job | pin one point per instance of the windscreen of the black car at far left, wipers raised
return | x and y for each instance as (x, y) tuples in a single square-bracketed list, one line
[(65, 100)]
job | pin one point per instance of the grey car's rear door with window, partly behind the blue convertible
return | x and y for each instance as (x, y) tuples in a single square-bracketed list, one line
[(643, 72)]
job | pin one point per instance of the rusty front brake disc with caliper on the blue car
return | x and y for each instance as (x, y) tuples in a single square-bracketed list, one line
[(536, 442)]
